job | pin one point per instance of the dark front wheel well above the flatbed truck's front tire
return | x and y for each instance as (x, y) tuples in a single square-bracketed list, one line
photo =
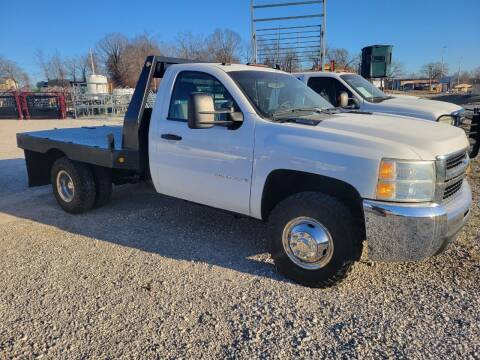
[(280, 184)]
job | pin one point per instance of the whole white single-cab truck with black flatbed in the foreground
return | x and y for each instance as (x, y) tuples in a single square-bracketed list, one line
[(260, 143)]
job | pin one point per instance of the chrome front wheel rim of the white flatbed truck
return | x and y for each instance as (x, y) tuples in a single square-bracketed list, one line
[(307, 243)]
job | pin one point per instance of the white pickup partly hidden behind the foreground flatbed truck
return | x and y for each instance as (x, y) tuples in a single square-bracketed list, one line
[(364, 96)]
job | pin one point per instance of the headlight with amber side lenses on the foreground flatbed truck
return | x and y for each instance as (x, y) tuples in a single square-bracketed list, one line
[(406, 181)]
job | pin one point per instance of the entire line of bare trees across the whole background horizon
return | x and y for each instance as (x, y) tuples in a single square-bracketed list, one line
[(121, 59)]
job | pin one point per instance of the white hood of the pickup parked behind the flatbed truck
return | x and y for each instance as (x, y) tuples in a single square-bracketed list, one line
[(415, 107)]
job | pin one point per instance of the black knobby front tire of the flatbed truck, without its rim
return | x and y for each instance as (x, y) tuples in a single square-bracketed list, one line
[(336, 218)]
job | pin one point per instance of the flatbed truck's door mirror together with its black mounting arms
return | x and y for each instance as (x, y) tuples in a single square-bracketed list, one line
[(201, 113)]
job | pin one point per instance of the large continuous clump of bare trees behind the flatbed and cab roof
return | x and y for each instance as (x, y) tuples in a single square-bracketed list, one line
[(121, 58)]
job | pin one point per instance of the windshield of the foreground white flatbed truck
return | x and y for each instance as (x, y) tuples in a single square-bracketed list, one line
[(273, 93)]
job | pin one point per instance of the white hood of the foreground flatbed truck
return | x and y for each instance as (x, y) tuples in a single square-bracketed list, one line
[(426, 139)]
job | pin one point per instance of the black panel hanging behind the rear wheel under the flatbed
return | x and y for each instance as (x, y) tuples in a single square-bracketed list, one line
[(39, 166)]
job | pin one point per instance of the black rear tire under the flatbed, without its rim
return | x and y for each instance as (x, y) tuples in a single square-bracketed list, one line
[(84, 192)]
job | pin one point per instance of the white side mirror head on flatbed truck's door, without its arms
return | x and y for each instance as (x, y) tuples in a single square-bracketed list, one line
[(201, 111)]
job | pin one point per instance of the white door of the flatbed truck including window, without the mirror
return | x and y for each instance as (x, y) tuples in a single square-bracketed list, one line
[(208, 166)]
